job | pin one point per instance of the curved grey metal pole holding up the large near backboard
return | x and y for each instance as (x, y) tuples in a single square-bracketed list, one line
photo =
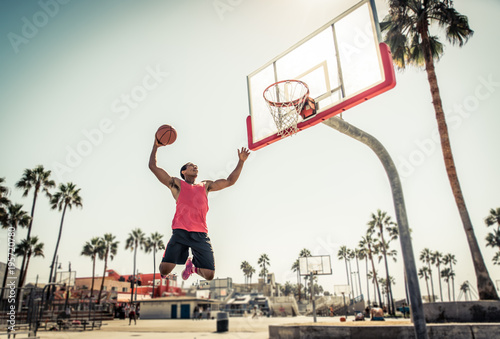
[(401, 217)]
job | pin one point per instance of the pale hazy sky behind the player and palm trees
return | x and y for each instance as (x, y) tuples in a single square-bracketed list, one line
[(185, 64)]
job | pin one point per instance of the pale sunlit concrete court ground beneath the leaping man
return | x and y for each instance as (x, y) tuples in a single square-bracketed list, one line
[(239, 328)]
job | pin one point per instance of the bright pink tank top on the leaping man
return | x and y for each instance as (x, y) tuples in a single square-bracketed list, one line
[(192, 208)]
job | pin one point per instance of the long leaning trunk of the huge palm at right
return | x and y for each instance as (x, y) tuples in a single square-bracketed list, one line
[(485, 285)]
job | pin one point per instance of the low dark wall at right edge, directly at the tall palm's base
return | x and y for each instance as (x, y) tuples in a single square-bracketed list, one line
[(463, 312)]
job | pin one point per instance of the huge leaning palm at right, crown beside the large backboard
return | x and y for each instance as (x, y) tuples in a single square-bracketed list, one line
[(407, 28)]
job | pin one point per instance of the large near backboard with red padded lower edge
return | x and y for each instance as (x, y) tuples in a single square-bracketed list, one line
[(343, 64)]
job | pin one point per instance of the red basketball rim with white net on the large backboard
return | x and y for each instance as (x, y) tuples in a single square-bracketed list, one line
[(285, 100)]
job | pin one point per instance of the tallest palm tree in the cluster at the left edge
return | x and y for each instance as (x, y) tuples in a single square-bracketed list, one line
[(36, 179)]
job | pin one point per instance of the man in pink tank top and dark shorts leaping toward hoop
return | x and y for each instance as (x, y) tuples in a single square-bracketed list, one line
[(189, 226)]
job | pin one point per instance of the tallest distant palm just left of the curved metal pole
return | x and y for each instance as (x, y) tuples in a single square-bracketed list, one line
[(382, 222)]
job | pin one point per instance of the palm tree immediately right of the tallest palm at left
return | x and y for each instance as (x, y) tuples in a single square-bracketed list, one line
[(66, 197)]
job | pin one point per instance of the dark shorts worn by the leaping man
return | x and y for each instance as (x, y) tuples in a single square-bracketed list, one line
[(177, 250)]
